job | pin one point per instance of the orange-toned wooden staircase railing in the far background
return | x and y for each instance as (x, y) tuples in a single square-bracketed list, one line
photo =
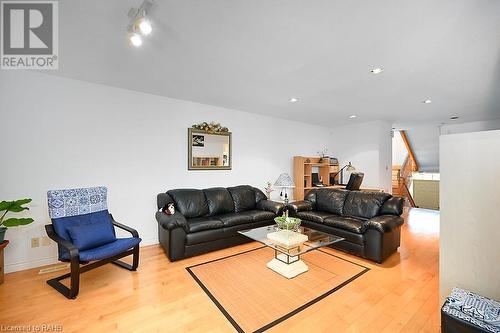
[(401, 174)]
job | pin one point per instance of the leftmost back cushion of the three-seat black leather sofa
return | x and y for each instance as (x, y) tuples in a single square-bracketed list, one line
[(190, 202)]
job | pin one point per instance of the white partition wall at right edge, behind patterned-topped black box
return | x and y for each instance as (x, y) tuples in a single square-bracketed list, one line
[(470, 218)]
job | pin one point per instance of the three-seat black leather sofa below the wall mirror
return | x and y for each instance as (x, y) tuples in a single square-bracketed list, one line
[(208, 220)]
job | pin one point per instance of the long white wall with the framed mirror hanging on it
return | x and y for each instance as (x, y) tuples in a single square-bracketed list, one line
[(63, 133)]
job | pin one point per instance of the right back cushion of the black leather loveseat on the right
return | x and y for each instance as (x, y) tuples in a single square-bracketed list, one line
[(364, 204)]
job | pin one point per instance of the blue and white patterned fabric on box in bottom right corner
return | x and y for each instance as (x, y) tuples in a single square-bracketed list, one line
[(474, 309)]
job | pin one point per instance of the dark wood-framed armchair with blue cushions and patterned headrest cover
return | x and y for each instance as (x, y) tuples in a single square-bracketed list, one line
[(84, 231)]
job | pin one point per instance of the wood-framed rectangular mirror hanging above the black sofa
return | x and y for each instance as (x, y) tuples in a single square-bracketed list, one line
[(209, 151)]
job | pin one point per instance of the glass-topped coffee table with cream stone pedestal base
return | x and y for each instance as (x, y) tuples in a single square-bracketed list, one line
[(289, 246)]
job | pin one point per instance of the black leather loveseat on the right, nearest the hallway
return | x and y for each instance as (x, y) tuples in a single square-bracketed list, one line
[(370, 222)]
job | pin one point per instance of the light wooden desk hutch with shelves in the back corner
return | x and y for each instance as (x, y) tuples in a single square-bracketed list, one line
[(303, 167)]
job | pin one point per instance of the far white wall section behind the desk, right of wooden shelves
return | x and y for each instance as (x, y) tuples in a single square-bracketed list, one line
[(369, 147)]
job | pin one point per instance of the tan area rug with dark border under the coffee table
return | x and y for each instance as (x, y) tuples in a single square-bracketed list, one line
[(254, 298)]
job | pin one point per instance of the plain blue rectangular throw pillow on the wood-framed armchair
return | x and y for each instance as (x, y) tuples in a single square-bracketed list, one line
[(88, 236)]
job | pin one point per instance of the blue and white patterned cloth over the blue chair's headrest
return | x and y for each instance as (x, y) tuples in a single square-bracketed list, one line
[(72, 202)]
